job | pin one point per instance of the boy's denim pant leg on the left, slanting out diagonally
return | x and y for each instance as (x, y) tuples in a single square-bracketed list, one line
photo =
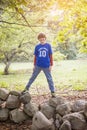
[(33, 77)]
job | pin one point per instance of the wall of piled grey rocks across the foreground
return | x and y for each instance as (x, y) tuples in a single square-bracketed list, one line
[(55, 114)]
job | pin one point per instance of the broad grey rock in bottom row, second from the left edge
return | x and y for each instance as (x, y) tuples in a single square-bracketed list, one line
[(18, 116)]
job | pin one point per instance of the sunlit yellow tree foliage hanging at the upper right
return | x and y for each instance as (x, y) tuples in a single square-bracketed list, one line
[(72, 27)]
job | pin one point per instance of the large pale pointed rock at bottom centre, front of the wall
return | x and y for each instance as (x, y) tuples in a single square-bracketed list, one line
[(40, 122)]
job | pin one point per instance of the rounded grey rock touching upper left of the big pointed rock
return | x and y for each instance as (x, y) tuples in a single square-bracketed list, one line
[(30, 109)]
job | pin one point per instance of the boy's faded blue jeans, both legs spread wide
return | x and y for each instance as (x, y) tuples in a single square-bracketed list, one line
[(47, 73)]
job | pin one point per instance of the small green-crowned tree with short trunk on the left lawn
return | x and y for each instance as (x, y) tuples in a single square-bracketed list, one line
[(11, 45)]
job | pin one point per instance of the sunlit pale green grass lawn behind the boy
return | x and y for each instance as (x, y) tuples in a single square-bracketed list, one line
[(70, 74)]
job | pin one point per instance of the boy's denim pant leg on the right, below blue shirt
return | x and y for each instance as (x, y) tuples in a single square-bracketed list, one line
[(49, 78)]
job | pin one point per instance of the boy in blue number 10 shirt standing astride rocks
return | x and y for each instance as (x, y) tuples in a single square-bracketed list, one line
[(42, 61)]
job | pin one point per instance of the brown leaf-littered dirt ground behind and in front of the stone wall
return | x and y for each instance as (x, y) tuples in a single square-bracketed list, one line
[(39, 99)]
